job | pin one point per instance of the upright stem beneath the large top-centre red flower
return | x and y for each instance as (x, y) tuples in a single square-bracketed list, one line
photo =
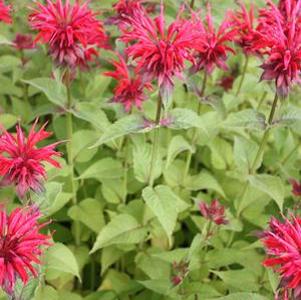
[(155, 147)]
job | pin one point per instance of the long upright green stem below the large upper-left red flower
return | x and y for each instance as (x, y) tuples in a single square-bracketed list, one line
[(69, 125)]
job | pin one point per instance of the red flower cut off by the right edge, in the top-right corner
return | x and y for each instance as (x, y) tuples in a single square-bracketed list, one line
[(283, 35)]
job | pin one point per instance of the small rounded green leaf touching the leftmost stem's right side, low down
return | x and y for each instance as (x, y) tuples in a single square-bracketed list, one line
[(89, 212)]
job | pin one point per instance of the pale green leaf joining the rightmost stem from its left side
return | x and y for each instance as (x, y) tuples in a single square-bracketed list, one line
[(248, 118)]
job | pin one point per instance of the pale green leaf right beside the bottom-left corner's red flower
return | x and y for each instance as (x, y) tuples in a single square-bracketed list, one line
[(60, 258)]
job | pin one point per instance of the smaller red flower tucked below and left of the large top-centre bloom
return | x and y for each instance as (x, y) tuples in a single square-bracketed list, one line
[(129, 90)]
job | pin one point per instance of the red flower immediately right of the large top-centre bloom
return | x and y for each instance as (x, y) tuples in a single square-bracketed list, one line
[(213, 48)]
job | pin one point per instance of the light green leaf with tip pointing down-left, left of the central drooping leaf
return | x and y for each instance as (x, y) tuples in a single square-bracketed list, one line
[(123, 229)]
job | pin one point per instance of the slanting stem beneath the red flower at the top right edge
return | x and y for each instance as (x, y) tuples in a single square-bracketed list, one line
[(260, 151)]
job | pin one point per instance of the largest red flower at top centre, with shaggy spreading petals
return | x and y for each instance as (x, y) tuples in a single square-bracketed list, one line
[(161, 53)]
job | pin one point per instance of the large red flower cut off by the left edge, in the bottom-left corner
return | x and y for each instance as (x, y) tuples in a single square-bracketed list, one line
[(20, 245)]
